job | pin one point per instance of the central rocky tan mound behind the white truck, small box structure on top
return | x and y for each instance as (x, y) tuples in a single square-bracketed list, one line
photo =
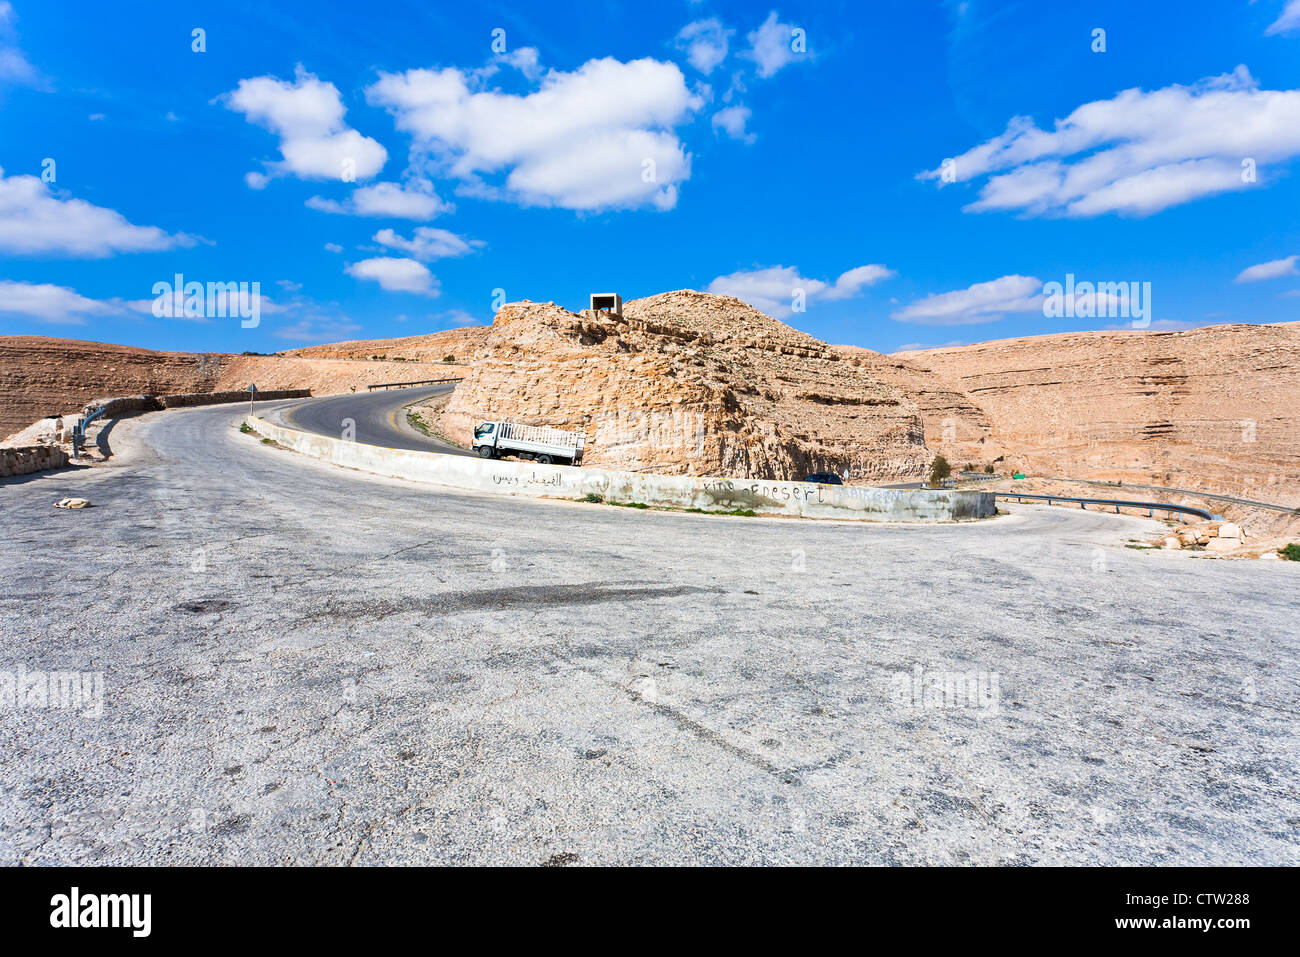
[(692, 384)]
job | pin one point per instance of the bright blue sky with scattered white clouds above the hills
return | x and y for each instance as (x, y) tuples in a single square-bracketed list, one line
[(384, 170)]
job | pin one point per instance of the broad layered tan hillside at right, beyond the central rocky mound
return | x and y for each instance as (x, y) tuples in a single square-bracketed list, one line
[(1212, 409)]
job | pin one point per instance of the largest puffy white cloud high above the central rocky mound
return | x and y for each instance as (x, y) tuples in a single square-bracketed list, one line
[(597, 138)]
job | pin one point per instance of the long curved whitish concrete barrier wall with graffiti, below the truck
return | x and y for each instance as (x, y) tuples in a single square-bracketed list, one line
[(677, 492)]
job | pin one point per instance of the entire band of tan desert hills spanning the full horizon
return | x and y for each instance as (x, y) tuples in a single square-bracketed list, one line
[(690, 383)]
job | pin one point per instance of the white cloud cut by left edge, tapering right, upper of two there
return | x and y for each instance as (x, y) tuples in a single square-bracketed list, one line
[(37, 222)]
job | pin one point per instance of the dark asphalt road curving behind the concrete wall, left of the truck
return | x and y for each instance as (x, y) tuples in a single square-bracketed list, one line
[(378, 418)]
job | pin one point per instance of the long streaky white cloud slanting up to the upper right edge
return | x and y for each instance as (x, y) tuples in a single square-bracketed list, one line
[(1138, 153)]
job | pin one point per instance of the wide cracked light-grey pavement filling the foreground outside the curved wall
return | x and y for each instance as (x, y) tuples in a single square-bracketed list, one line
[(319, 666)]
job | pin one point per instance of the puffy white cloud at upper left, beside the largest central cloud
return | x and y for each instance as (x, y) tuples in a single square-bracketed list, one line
[(307, 115)]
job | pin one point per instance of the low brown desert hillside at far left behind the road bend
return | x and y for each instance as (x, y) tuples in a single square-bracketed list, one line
[(44, 376)]
